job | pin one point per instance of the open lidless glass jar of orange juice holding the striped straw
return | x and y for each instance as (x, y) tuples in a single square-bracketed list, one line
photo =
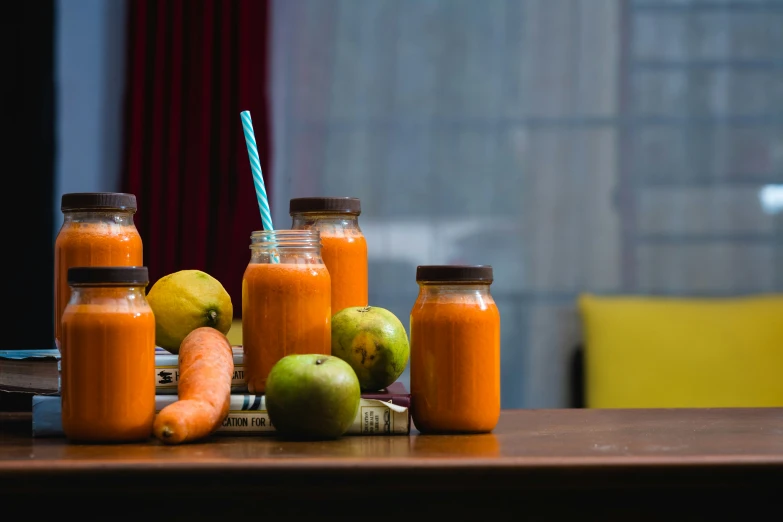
[(286, 296)]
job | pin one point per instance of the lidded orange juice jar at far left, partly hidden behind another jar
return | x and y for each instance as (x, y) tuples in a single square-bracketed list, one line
[(97, 230)]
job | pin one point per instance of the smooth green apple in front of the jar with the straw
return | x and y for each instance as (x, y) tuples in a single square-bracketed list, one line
[(312, 396)]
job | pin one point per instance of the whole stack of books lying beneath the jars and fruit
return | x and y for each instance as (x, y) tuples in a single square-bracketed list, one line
[(37, 372)]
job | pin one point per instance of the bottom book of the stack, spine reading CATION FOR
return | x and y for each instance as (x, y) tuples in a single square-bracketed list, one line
[(248, 415)]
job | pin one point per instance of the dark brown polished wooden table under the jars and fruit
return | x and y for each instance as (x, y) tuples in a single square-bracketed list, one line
[(572, 464)]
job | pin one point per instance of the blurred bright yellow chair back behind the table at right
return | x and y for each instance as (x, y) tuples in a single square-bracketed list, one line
[(651, 352)]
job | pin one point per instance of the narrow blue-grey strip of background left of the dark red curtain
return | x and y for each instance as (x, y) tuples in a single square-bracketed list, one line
[(90, 79)]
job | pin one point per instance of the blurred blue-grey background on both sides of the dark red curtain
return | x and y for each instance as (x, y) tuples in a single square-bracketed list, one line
[(616, 146)]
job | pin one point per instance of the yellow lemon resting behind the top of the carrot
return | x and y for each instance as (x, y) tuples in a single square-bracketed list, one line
[(185, 300)]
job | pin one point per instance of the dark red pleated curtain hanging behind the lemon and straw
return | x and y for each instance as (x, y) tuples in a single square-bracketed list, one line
[(192, 67)]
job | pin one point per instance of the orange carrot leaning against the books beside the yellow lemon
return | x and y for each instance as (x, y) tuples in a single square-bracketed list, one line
[(206, 367)]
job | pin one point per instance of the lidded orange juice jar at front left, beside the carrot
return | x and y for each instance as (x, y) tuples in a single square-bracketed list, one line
[(108, 356)]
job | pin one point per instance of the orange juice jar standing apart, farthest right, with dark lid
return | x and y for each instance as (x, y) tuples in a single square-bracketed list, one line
[(455, 350)]
